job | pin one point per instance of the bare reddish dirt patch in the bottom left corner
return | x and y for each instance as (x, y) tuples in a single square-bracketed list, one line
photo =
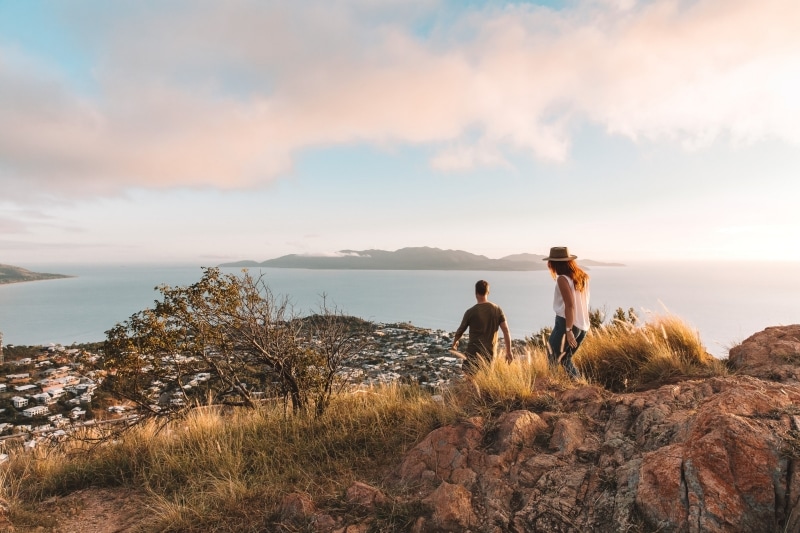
[(95, 510)]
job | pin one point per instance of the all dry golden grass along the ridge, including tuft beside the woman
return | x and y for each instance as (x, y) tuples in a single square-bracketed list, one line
[(227, 470)]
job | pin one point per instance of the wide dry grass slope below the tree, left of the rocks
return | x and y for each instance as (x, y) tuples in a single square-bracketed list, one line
[(229, 471)]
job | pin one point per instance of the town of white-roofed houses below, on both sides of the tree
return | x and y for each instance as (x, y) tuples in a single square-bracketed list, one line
[(48, 391)]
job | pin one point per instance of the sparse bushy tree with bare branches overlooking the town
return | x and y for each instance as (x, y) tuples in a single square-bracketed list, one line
[(228, 340)]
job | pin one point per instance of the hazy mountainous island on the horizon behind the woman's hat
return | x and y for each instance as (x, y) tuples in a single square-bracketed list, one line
[(418, 258)]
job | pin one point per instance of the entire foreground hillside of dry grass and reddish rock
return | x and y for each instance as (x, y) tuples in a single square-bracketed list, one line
[(712, 454)]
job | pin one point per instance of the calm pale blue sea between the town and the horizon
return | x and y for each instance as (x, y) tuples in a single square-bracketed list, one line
[(725, 302)]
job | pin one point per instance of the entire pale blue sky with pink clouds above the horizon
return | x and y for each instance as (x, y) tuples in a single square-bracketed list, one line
[(200, 132)]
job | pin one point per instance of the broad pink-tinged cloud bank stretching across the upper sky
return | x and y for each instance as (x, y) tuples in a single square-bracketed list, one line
[(226, 95)]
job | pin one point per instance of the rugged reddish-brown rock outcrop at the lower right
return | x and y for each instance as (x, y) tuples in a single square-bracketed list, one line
[(712, 455)]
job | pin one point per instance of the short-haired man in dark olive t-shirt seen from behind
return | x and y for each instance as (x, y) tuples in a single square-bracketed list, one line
[(482, 319)]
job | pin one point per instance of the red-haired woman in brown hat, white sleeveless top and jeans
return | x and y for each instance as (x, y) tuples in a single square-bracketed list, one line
[(571, 304)]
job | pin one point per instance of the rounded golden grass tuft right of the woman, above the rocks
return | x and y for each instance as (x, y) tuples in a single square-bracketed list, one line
[(625, 357)]
